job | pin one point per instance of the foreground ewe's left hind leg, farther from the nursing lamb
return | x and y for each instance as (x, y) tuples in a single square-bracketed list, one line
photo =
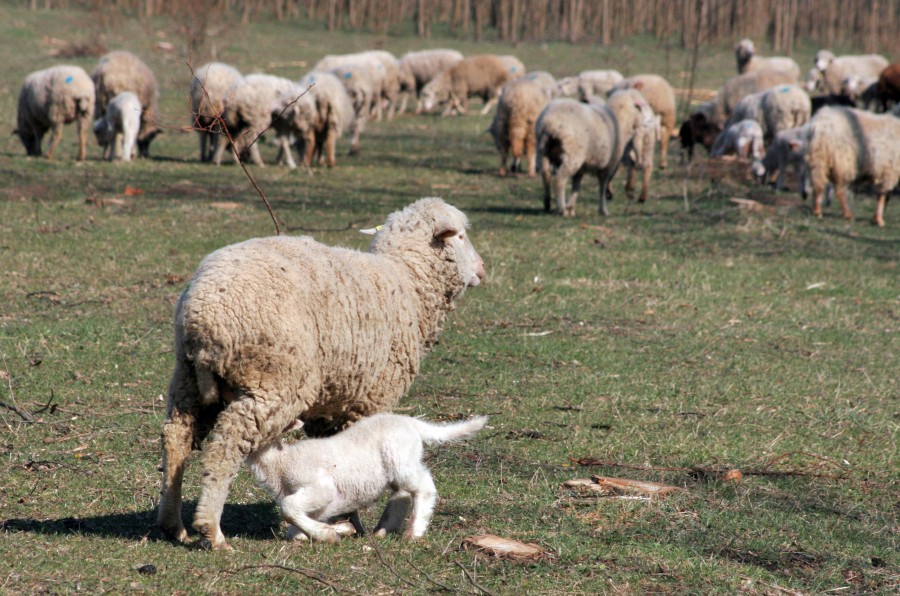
[(177, 434)]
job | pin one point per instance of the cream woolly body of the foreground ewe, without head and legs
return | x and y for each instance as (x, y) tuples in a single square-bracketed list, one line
[(284, 313)]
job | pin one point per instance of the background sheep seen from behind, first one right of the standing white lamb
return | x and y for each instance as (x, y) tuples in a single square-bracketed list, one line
[(209, 93)]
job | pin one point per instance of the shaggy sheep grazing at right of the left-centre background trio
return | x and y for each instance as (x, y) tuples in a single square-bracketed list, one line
[(318, 130)]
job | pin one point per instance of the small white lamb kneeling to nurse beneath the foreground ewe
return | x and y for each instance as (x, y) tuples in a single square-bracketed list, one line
[(316, 480)]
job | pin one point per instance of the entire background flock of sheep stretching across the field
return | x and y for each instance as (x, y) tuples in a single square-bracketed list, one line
[(563, 128)]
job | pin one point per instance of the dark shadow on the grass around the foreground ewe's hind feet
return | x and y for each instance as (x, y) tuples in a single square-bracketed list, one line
[(257, 521)]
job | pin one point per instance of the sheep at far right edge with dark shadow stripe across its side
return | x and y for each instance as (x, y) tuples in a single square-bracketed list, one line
[(846, 145)]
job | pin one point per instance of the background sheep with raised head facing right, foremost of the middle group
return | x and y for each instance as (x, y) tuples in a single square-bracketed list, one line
[(574, 138)]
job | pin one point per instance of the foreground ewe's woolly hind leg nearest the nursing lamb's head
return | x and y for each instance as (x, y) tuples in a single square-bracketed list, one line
[(241, 428)]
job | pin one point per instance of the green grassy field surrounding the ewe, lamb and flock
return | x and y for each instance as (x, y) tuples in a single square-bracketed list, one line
[(667, 342)]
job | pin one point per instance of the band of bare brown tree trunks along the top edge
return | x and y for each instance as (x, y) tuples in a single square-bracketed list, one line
[(870, 25)]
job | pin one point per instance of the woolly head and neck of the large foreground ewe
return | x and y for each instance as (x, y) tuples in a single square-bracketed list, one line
[(430, 232)]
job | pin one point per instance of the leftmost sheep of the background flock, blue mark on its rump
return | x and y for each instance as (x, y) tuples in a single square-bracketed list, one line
[(50, 99)]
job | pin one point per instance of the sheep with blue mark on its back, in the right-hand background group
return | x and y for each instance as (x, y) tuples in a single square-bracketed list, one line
[(778, 108)]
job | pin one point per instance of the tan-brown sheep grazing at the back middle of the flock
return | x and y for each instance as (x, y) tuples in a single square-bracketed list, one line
[(481, 75)]
